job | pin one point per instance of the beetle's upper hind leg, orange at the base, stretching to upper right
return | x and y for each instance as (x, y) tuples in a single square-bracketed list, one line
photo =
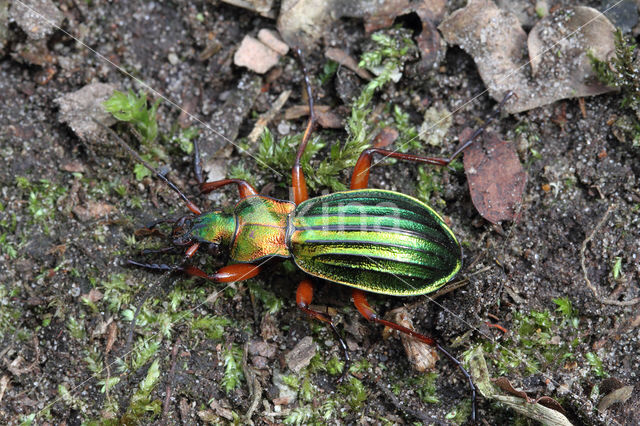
[(360, 177)]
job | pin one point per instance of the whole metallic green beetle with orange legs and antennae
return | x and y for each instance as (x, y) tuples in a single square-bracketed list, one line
[(372, 240)]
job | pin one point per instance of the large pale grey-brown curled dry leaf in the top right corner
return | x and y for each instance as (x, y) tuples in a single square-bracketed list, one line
[(557, 46)]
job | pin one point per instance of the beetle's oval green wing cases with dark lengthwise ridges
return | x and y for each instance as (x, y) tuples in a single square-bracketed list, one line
[(379, 241)]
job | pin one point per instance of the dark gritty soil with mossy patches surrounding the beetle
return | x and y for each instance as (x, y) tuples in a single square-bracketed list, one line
[(70, 209)]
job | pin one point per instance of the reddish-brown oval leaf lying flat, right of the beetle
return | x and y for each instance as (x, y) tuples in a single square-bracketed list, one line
[(496, 177)]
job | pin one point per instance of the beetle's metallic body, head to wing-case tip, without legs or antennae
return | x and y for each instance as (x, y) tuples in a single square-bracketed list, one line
[(374, 240)]
